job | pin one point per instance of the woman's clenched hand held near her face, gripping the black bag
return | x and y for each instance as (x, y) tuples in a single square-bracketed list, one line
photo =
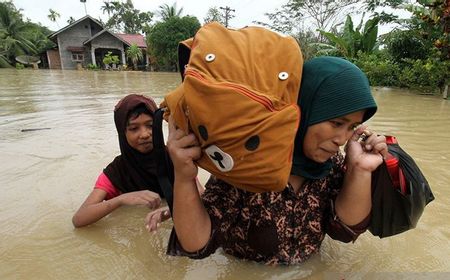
[(365, 150)]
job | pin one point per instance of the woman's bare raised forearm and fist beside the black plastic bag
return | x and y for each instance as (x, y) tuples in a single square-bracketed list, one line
[(354, 201)]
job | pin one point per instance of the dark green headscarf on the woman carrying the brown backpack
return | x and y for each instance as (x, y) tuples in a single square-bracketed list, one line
[(331, 87)]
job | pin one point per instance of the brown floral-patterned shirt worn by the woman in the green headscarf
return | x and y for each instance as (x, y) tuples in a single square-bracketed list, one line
[(273, 227)]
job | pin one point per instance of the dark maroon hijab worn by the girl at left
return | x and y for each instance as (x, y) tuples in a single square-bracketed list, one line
[(132, 170)]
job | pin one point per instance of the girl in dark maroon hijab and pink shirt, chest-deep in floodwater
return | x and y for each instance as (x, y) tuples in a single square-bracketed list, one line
[(130, 179)]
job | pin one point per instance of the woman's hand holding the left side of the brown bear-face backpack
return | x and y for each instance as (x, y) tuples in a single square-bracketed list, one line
[(183, 150)]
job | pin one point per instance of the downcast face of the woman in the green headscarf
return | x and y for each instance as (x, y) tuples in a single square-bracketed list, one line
[(323, 140)]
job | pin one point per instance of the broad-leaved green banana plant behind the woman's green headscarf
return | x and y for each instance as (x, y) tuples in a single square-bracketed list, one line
[(354, 40)]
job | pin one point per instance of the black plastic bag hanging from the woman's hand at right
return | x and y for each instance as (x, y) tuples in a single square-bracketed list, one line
[(392, 211)]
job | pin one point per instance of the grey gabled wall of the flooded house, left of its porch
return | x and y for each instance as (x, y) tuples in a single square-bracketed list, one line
[(75, 37)]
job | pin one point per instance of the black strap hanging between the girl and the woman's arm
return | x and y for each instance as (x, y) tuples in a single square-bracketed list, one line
[(164, 169)]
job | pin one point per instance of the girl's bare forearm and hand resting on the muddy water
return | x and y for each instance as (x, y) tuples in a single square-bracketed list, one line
[(95, 207)]
